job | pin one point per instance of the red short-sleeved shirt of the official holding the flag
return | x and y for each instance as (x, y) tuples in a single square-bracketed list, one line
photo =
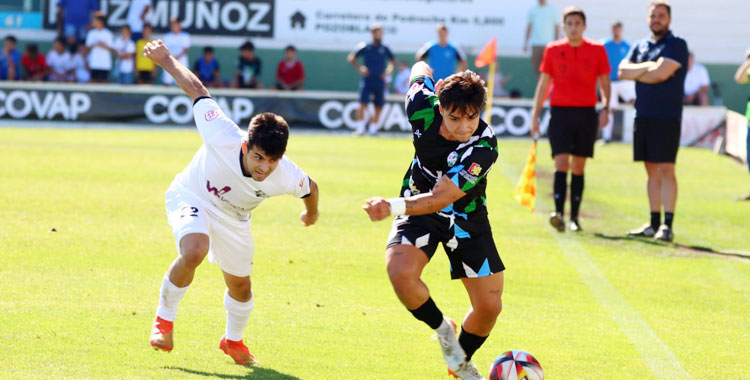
[(574, 71)]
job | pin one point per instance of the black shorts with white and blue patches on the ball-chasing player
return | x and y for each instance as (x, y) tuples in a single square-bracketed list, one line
[(471, 254)]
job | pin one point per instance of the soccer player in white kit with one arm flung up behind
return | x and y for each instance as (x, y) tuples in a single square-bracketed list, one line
[(209, 203)]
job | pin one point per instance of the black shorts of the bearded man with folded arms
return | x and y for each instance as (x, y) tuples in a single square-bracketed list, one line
[(656, 140)]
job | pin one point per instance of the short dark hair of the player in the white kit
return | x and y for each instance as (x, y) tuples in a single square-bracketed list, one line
[(269, 132)]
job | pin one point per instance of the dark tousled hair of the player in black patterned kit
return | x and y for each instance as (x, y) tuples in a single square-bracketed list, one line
[(463, 92)]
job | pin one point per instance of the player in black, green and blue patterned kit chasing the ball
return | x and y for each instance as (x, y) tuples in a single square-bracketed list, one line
[(443, 201)]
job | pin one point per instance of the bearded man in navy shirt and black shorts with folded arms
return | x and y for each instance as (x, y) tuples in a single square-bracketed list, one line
[(658, 64)]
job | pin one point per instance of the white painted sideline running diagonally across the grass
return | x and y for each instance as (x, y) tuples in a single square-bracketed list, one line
[(654, 352)]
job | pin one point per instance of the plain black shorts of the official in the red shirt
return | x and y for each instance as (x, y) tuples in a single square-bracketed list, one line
[(572, 130)]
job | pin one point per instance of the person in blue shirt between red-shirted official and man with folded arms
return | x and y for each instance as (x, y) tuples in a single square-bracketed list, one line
[(617, 50)]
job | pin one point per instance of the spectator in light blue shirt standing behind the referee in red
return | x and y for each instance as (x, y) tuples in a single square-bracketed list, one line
[(543, 27)]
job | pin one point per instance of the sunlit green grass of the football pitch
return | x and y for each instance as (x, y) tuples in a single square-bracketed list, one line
[(78, 302)]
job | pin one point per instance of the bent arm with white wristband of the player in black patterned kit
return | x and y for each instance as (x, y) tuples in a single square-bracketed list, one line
[(443, 194)]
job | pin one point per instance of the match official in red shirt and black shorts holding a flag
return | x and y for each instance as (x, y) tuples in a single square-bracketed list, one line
[(573, 65)]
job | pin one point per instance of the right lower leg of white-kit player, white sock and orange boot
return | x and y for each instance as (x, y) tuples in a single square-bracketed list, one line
[(238, 301)]
